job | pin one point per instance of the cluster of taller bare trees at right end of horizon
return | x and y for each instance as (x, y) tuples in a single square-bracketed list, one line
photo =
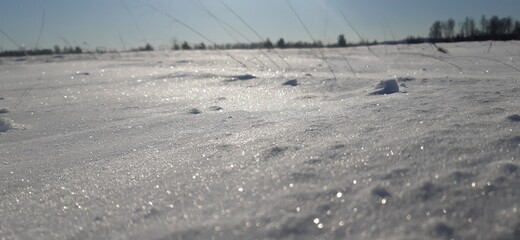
[(494, 28)]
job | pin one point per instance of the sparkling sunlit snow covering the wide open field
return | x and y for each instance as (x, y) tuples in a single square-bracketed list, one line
[(191, 145)]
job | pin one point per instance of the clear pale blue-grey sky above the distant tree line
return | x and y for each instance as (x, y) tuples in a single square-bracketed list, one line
[(118, 24)]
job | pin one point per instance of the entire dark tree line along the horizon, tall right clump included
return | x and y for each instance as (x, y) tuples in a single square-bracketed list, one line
[(494, 28)]
